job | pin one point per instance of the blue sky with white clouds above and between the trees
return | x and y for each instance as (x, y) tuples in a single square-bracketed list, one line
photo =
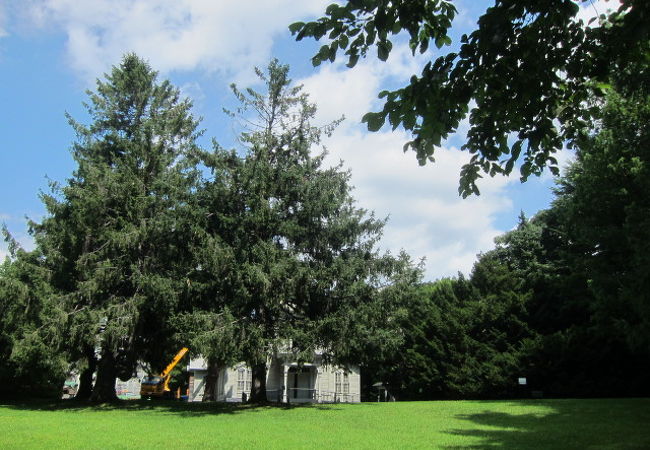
[(52, 51)]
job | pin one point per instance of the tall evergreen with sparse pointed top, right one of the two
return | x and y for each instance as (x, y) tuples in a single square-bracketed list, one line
[(297, 260)]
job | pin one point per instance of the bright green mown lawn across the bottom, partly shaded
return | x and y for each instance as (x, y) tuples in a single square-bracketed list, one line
[(561, 424)]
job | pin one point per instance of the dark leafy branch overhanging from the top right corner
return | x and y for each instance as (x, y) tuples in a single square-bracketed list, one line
[(528, 78)]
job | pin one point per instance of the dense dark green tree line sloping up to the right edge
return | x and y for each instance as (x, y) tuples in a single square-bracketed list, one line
[(561, 300)]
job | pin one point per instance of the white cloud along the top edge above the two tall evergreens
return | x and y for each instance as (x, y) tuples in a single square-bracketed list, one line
[(225, 36)]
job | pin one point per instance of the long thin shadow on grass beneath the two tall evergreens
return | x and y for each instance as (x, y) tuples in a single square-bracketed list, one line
[(183, 409)]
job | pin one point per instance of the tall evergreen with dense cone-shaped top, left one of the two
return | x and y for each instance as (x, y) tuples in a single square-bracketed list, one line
[(115, 234)]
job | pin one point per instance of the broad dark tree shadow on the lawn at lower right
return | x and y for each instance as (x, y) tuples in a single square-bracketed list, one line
[(561, 424)]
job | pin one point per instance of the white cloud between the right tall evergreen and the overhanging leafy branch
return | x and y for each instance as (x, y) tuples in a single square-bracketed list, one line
[(427, 217)]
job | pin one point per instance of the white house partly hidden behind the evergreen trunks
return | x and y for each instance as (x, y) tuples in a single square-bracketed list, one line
[(286, 381)]
